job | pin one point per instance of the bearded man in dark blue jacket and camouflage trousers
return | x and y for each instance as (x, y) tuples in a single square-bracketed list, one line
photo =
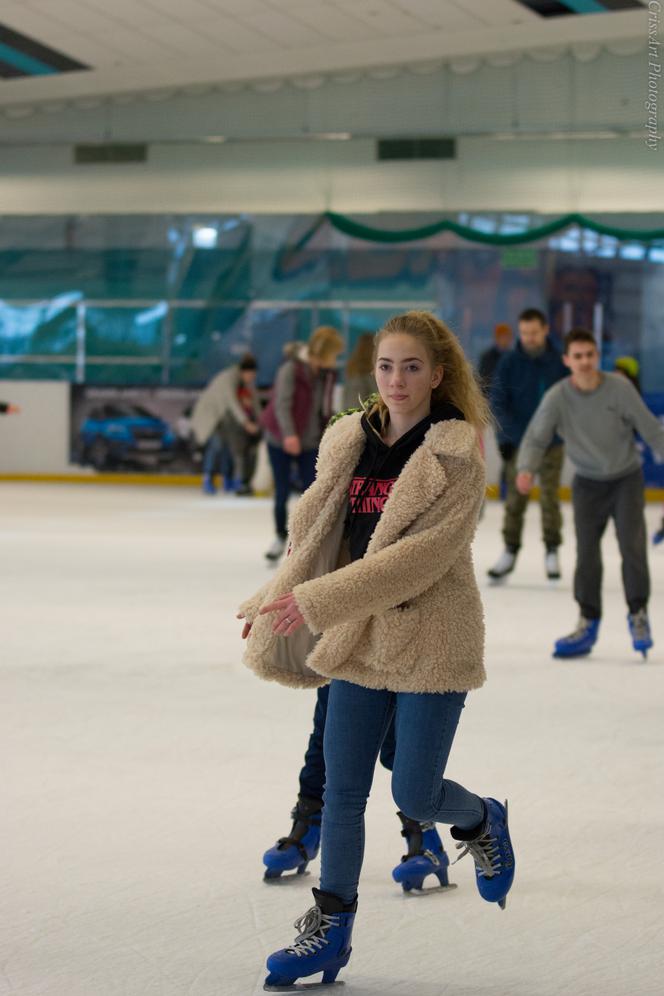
[(522, 377)]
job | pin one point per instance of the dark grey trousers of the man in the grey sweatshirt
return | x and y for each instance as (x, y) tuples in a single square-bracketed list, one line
[(595, 502)]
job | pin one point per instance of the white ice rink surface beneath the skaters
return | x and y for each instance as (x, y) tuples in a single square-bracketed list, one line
[(145, 771)]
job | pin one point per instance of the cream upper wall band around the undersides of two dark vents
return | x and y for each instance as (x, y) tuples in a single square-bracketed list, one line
[(311, 176)]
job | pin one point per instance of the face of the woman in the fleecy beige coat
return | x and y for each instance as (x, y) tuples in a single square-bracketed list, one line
[(405, 375)]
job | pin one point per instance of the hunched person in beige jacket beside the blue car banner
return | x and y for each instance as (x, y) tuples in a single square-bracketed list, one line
[(225, 419)]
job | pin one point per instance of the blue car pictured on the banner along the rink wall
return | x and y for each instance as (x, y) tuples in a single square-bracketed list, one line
[(117, 433)]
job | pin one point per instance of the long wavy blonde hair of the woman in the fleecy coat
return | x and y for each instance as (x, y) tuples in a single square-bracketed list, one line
[(459, 385)]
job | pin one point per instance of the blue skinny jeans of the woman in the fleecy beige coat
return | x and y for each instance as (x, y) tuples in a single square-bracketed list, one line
[(357, 721)]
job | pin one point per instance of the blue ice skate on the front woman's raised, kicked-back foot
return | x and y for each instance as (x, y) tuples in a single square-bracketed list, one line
[(491, 849)]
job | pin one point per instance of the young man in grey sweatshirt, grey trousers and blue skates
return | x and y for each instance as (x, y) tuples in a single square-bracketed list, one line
[(597, 415)]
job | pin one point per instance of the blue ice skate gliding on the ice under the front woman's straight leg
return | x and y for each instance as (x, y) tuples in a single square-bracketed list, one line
[(322, 945)]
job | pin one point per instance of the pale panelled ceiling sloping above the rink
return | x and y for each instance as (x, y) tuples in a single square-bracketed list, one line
[(135, 47)]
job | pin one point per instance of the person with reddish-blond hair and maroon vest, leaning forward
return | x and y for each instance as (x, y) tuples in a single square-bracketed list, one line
[(294, 420)]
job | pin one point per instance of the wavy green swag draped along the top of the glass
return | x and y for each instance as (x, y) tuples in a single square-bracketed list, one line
[(372, 234)]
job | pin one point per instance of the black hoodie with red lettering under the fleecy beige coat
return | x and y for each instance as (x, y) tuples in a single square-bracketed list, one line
[(376, 473)]
